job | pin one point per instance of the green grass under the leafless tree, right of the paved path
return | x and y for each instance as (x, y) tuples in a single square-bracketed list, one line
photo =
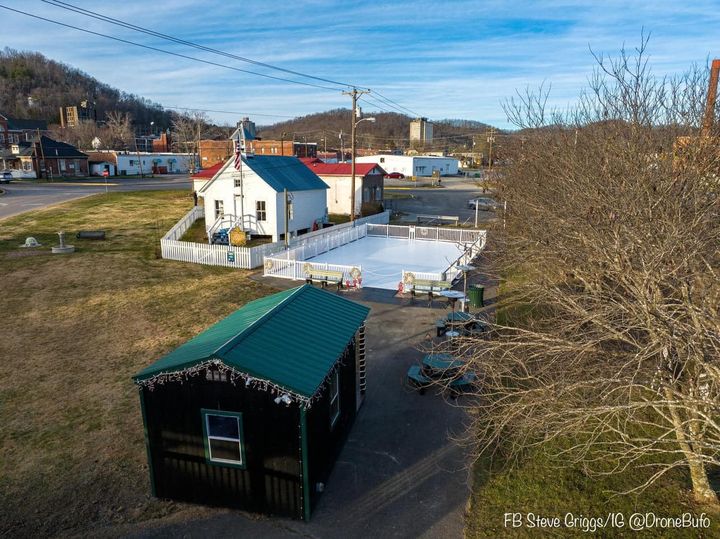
[(537, 484)]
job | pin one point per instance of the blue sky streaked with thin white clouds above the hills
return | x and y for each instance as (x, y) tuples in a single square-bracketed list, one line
[(456, 59)]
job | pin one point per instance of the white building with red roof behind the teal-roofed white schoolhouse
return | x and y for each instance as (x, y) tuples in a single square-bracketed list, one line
[(369, 183)]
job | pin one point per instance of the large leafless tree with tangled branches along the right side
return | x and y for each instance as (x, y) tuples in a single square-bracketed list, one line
[(613, 236)]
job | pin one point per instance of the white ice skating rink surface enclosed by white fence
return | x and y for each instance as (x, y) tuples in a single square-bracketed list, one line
[(383, 259)]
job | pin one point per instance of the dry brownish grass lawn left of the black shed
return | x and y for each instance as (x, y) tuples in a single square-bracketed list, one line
[(75, 328)]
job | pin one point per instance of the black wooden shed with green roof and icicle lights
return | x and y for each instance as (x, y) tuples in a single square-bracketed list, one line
[(253, 412)]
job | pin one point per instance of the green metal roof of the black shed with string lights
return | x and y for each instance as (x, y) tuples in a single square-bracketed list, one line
[(291, 339)]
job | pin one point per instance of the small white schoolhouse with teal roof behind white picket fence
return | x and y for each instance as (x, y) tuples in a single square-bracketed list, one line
[(254, 197)]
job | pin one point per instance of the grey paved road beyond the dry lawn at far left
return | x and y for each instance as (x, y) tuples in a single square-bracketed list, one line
[(22, 196)]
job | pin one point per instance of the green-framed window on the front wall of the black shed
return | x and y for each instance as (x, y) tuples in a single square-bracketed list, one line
[(223, 438)]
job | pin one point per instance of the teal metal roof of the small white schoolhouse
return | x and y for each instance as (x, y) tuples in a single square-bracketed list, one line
[(284, 173)]
